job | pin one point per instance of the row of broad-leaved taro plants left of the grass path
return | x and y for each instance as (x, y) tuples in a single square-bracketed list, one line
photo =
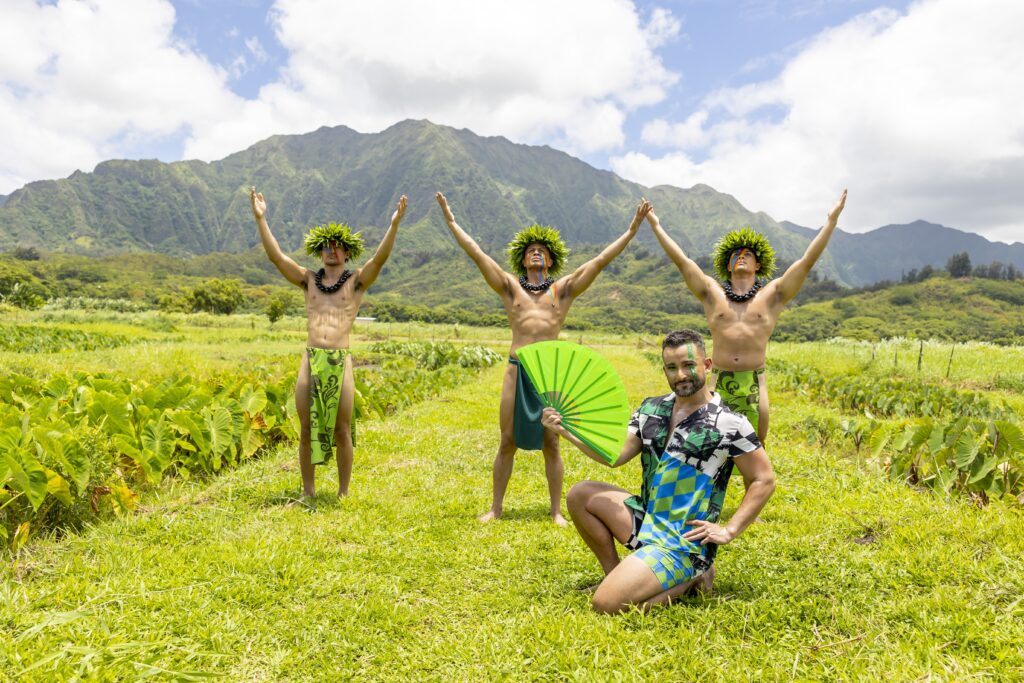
[(76, 446)]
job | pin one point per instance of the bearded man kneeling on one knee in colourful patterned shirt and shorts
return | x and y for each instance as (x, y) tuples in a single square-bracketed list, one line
[(689, 443)]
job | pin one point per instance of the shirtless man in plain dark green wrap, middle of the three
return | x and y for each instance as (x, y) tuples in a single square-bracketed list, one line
[(537, 307)]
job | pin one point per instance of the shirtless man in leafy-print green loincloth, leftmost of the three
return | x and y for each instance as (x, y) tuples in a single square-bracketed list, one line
[(333, 296)]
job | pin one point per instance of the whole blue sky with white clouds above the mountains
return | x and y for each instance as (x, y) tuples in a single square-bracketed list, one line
[(914, 106)]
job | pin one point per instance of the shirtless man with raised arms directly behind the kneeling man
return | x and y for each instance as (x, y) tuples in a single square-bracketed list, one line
[(744, 309)]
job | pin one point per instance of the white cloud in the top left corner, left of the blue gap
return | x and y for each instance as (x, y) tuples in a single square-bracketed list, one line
[(81, 81)]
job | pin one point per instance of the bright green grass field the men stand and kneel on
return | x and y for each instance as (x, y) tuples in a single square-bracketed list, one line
[(848, 577)]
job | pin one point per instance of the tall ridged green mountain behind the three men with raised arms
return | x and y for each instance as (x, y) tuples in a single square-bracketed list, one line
[(496, 188)]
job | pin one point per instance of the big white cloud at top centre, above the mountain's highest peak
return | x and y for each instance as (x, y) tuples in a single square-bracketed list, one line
[(565, 73)]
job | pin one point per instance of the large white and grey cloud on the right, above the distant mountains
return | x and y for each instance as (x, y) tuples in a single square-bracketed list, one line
[(918, 114)]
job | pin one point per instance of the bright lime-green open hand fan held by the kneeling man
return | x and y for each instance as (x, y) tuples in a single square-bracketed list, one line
[(584, 388)]
